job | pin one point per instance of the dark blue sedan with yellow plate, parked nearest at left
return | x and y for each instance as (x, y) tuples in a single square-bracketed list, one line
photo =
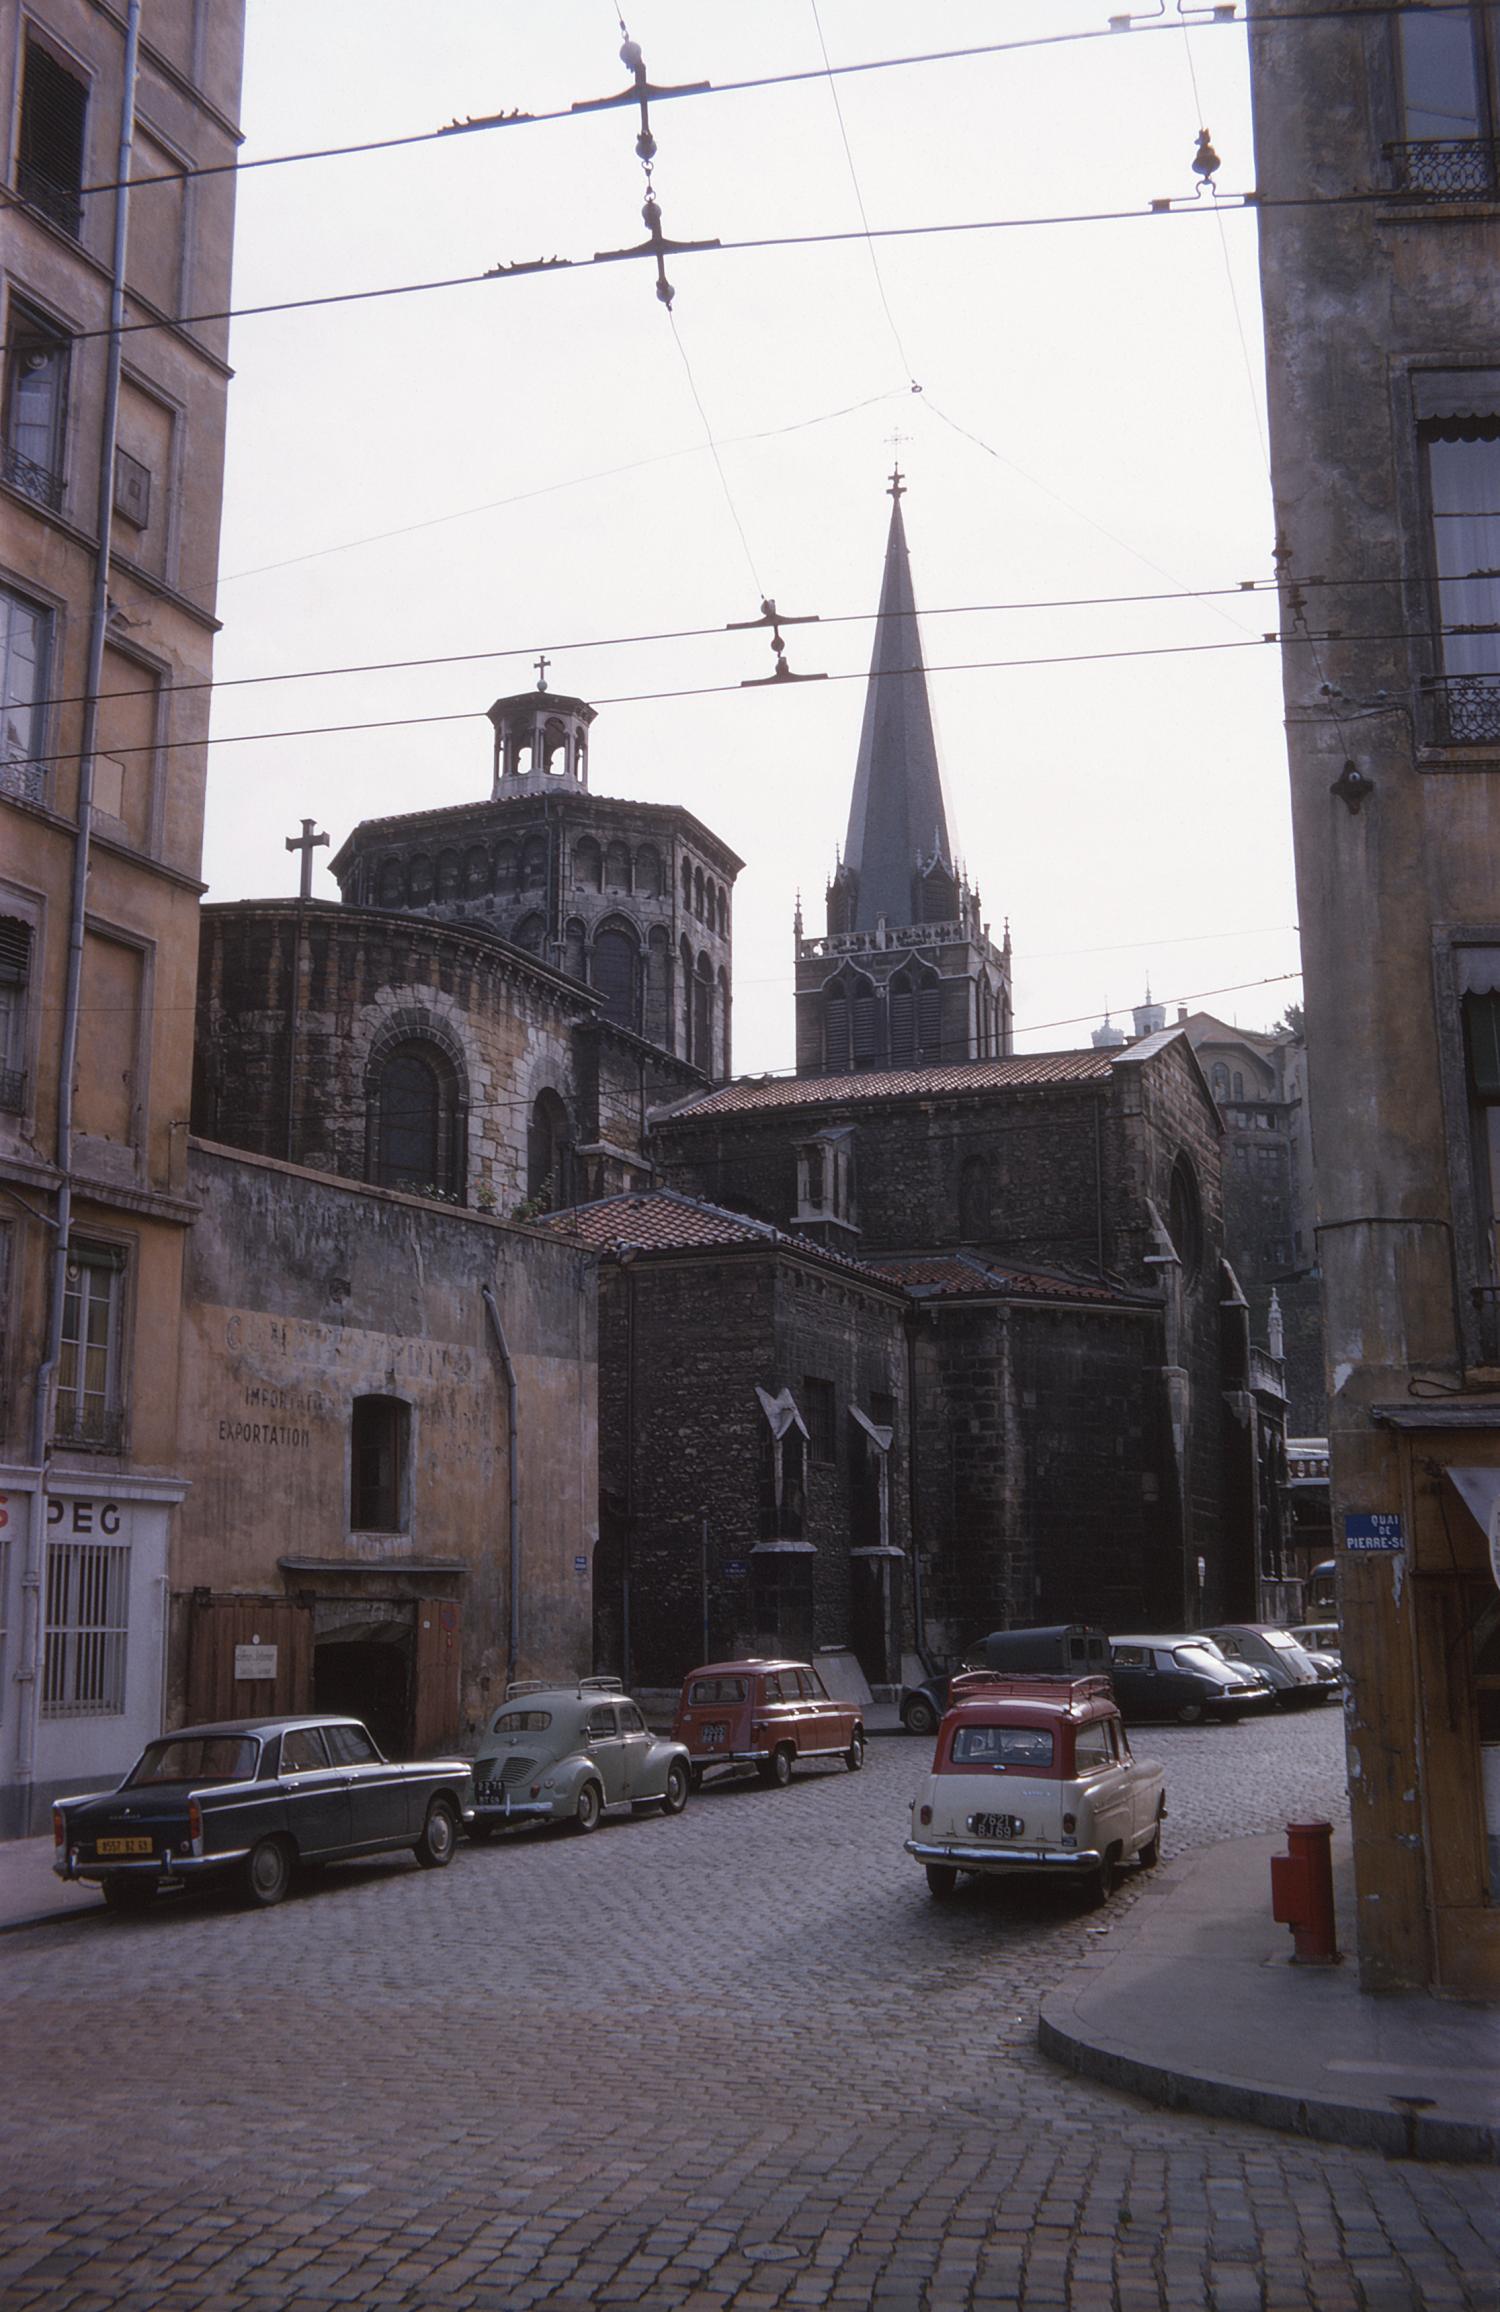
[(248, 1802)]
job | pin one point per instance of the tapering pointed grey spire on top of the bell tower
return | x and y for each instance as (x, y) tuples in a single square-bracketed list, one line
[(898, 815)]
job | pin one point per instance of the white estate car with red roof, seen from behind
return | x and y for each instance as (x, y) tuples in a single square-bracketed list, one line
[(1037, 1774)]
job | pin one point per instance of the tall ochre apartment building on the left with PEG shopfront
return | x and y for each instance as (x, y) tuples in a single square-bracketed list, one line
[(114, 401)]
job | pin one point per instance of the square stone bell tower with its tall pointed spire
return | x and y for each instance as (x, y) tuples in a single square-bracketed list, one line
[(907, 972)]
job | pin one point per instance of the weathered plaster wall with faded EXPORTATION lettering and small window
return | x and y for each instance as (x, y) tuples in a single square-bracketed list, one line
[(309, 1294)]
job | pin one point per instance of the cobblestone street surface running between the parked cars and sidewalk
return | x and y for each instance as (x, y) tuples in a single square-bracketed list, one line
[(732, 2061)]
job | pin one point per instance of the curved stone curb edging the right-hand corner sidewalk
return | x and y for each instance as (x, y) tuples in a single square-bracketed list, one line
[(1399, 2135)]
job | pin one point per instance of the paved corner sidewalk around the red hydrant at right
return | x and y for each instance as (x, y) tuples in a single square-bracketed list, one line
[(1194, 2003)]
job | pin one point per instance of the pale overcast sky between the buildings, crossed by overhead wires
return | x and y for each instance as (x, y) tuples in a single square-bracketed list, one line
[(556, 464)]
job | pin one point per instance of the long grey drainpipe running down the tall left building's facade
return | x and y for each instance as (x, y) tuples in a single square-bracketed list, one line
[(34, 1622)]
